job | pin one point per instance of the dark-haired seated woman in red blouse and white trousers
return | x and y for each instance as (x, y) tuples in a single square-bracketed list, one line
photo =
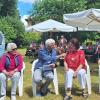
[(74, 64)]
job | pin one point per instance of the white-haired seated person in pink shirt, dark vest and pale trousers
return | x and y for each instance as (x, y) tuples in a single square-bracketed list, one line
[(10, 66)]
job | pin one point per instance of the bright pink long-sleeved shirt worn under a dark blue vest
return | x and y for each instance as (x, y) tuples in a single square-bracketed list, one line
[(12, 62)]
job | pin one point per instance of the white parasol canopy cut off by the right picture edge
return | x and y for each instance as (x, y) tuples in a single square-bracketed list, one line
[(87, 20)]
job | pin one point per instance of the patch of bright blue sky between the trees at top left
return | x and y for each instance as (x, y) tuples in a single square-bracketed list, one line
[(25, 6)]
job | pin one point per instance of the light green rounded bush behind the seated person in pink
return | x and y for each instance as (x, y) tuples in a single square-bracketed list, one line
[(13, 29)]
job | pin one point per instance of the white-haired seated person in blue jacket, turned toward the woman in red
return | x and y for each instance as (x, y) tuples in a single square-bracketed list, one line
[(44, 66)]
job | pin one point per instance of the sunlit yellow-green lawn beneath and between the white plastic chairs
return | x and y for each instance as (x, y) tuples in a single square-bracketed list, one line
[(27, 95)]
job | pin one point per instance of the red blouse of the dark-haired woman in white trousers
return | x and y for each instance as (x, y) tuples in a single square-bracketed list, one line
[(74, 59)]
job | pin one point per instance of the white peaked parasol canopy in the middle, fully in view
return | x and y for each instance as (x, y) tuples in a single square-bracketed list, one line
[(51, 25)]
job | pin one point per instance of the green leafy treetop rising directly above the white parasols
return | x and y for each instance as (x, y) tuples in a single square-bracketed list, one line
[(55, 9)]
